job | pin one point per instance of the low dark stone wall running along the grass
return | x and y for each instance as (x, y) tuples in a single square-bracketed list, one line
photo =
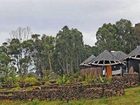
[(76, 91)]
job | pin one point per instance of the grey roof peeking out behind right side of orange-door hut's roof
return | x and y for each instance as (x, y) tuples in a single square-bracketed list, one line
[(120, 55)]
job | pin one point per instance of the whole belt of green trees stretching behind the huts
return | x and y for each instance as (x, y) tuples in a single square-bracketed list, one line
[(62, 54)]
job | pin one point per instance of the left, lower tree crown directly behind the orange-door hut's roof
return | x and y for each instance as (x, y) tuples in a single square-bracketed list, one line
[(107, 37)]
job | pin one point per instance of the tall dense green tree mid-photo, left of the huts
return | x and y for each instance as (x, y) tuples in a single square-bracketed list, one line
[(69, 49)]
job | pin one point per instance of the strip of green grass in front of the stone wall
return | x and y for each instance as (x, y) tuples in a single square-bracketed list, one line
[(131, 97)]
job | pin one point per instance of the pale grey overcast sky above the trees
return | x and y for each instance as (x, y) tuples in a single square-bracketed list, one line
[(49, 16)]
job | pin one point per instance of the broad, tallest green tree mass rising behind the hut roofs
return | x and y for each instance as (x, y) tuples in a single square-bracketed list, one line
[(118, 36)]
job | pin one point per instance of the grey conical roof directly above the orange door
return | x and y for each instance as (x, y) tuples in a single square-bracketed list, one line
[(106, 58)]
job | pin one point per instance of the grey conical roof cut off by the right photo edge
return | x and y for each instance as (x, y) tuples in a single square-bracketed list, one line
[(135, 54)]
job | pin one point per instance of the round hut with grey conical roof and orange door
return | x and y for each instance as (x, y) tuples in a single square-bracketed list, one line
[(110, 63)]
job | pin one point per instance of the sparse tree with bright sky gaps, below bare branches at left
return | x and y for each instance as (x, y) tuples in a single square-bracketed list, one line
[(20, 54)]
